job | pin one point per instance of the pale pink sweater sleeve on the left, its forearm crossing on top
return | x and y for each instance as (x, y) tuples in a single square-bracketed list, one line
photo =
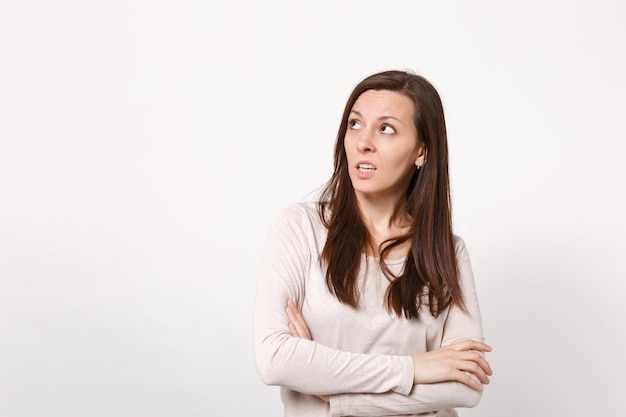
[(303, 365)]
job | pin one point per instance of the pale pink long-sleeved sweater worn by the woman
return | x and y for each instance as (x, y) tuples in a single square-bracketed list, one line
[(360, 357)]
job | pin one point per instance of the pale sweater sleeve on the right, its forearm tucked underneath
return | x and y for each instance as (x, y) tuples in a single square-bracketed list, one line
[(425, 398)]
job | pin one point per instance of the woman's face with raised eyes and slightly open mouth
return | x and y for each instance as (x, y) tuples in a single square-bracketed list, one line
[(381, 145)]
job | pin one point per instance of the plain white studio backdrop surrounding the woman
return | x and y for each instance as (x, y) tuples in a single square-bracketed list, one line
[(146, 146)]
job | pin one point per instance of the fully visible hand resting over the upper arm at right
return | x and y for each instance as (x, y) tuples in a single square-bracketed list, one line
[(454, 362)]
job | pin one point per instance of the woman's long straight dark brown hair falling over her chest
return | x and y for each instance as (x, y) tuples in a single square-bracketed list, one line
[(430, 266)]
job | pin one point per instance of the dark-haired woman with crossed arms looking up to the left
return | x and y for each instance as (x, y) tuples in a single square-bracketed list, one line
[(366, 303)]
